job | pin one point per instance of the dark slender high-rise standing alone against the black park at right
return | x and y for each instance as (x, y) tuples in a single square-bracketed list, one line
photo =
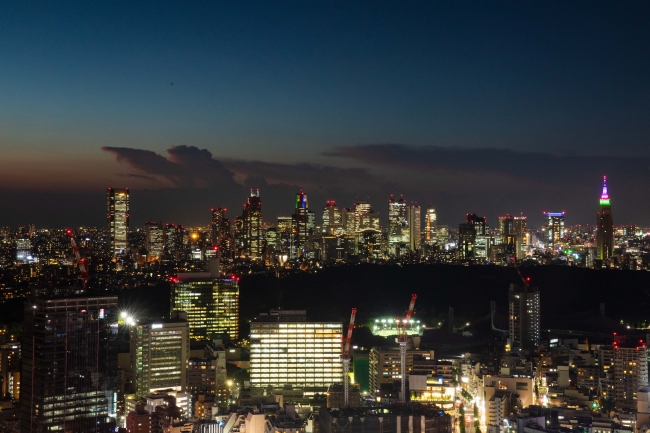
[(524, 310)]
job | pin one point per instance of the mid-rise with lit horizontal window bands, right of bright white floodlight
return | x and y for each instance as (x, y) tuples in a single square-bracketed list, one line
[(159, 352)]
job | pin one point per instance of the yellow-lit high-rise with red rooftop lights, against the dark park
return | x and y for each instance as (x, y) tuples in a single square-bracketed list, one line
[(211, 304)]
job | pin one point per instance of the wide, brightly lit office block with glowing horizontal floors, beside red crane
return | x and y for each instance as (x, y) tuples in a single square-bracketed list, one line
[(286, 349)]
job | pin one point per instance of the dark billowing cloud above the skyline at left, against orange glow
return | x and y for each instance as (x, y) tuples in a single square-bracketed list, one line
[(188, 166)]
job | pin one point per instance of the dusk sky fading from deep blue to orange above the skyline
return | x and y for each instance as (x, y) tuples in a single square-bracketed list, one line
[(485, 107)]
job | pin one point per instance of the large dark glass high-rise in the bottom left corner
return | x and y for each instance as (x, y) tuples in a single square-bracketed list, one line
[(69, 371)]
